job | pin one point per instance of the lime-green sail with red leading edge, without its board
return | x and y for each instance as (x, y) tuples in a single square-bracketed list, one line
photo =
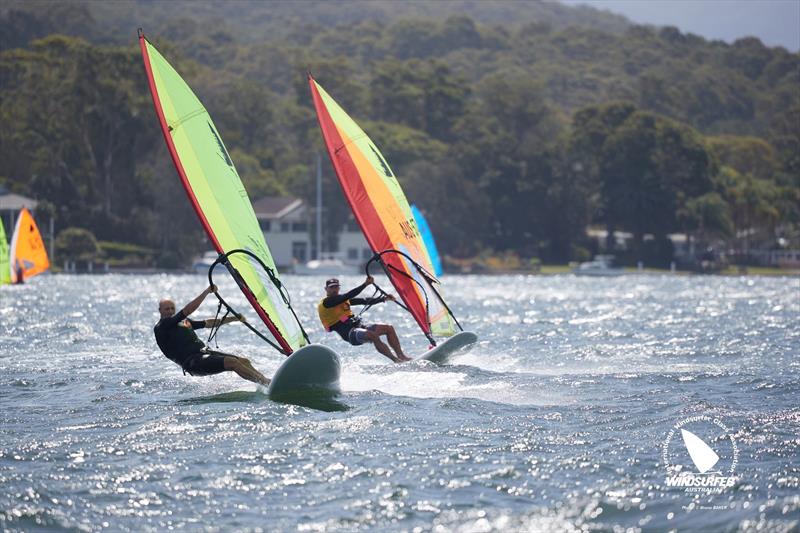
[(217, 194)]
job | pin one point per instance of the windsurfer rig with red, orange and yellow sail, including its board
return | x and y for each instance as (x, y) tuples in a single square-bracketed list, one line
[(385, 217)]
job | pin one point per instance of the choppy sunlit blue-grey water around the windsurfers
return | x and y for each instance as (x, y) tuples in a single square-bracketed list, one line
[(556, 421)]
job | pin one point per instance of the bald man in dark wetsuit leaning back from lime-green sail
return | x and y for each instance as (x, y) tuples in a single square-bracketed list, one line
[(176, 337)]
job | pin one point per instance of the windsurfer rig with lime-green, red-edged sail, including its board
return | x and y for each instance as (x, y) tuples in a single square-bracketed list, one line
[(223, 207)]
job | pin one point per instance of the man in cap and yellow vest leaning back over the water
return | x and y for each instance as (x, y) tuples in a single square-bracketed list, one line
[(335, 314)]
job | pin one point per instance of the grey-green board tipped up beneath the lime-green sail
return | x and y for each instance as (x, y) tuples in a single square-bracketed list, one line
[(313, 368)]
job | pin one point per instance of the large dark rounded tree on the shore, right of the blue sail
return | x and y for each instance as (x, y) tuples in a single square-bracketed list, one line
[(647, 168)]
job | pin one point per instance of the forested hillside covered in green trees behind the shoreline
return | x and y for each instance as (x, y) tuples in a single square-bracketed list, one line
[(514, 125)]
